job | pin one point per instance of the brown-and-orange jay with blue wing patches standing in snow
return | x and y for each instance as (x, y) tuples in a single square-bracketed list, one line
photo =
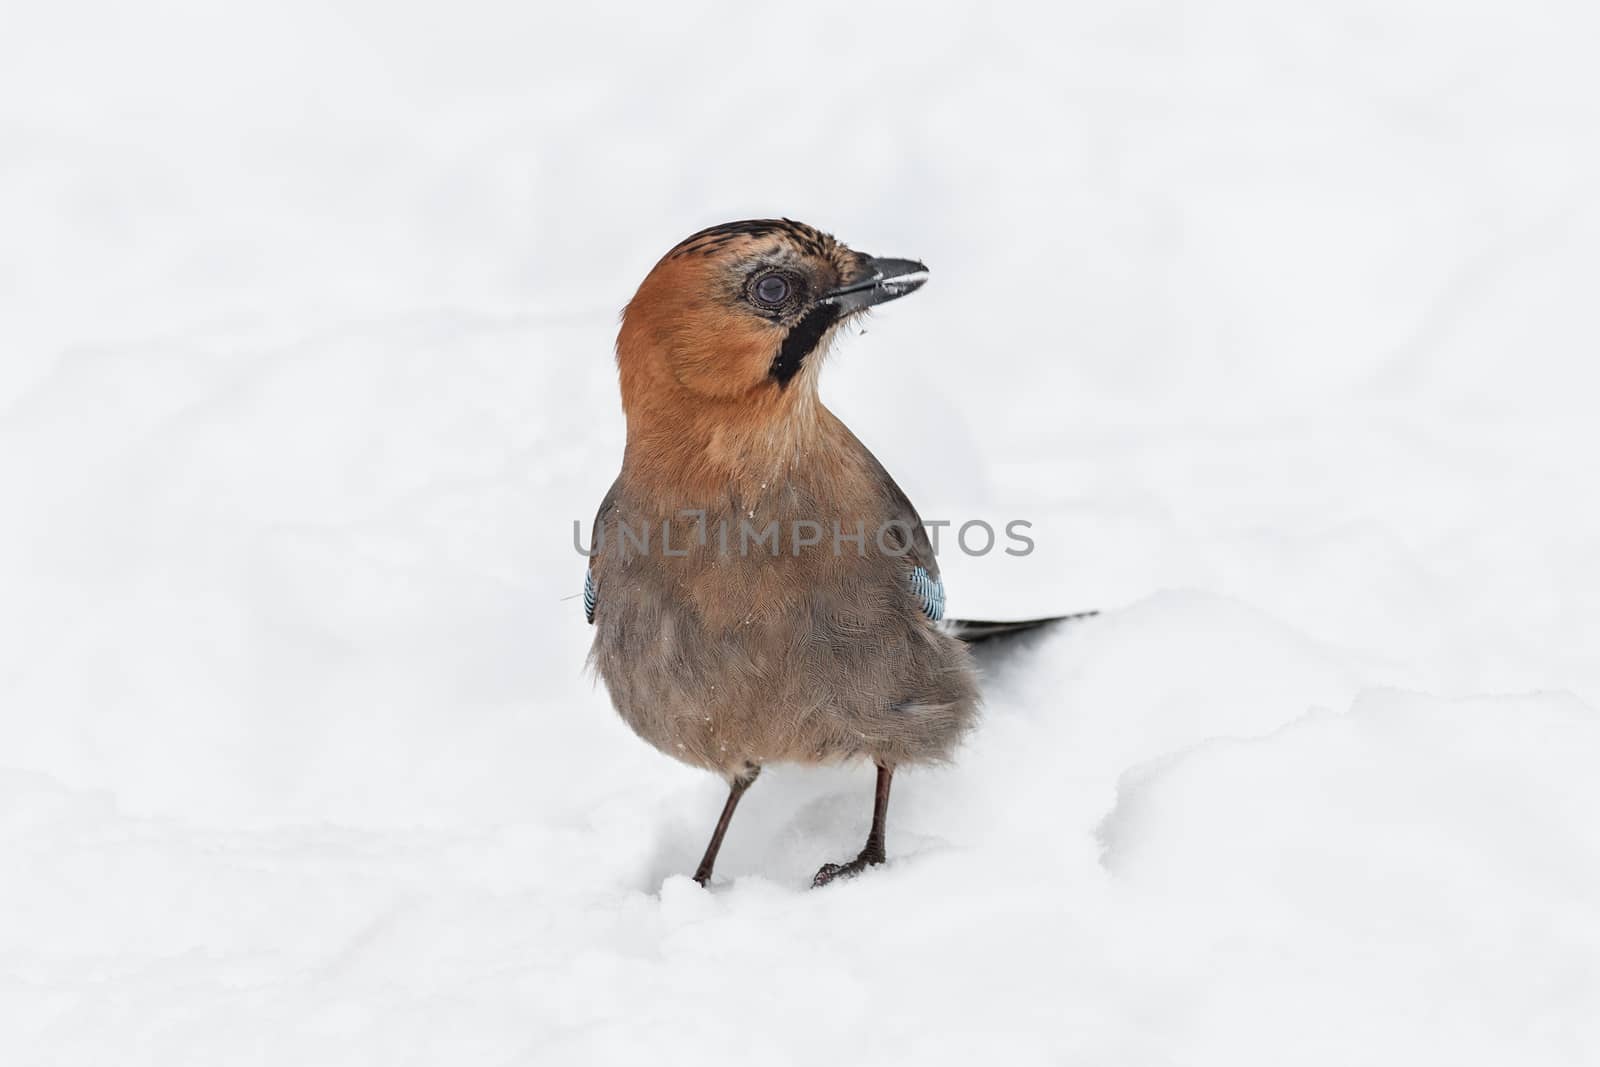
[(761, 588)]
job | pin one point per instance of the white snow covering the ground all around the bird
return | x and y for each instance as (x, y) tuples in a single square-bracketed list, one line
[(1276, 321)]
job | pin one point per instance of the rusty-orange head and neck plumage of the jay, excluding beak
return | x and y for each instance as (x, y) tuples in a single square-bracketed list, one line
[(719, 386)]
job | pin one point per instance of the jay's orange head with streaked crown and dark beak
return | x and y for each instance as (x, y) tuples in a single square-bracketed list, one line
[(742, 314)]
